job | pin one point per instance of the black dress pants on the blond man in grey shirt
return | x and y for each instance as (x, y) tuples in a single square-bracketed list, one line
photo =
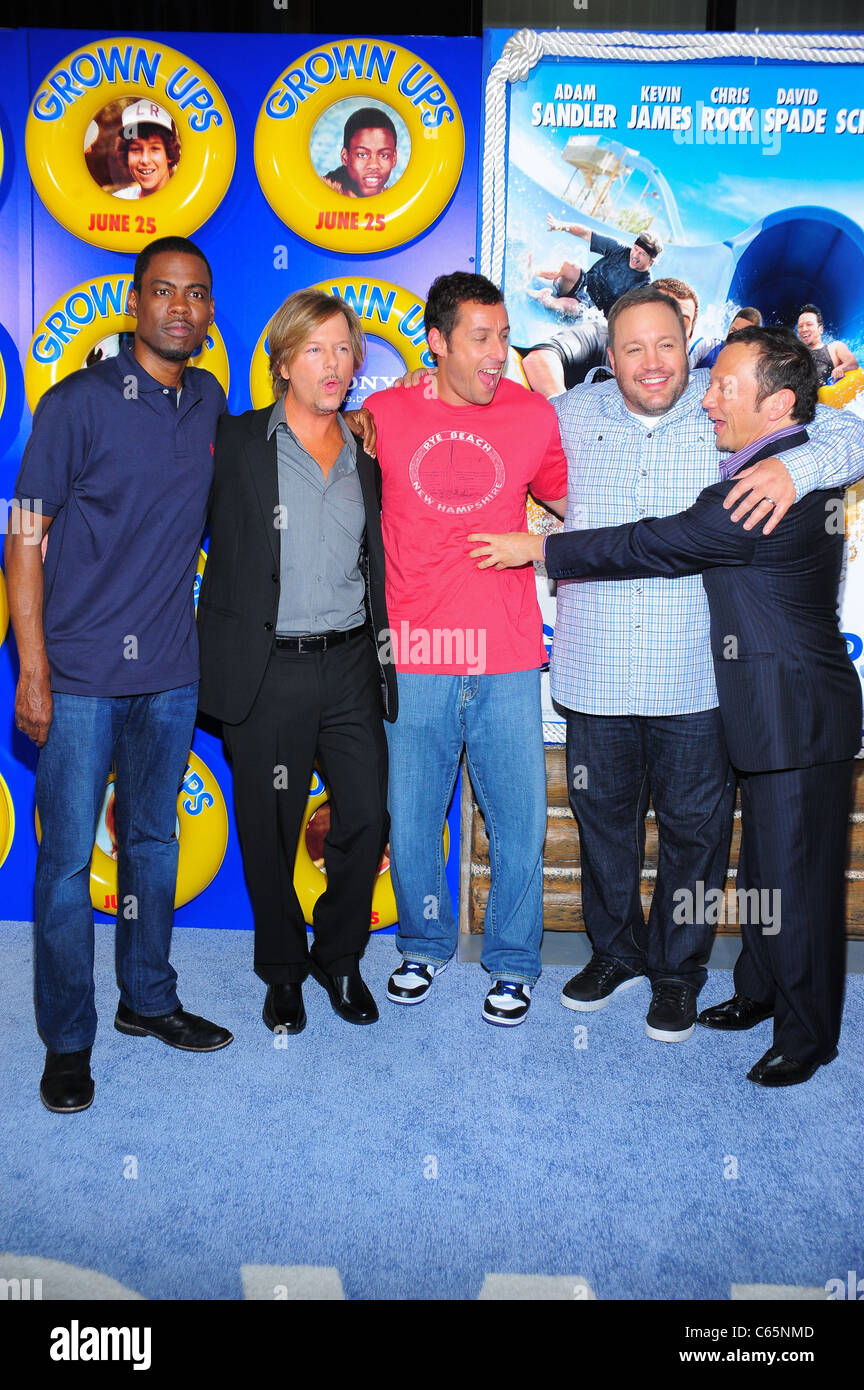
[(326, 708)]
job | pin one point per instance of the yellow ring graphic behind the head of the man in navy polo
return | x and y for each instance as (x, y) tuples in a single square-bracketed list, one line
[(90, 319)]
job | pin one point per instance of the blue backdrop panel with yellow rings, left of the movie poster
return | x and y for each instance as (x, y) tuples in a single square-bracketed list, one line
[(242, 136)]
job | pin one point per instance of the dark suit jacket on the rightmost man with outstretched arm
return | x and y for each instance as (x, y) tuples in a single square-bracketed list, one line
[(790, 697)]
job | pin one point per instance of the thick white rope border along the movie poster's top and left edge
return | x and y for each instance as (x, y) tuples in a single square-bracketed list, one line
[(526, 49)]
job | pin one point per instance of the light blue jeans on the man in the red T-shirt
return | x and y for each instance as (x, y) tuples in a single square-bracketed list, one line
[(498, 721)]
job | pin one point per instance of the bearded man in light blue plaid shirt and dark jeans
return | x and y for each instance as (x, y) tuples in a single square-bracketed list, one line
[(633, 662)]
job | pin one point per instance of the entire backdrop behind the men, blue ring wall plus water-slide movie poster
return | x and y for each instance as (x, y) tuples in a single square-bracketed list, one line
[(747, 165)]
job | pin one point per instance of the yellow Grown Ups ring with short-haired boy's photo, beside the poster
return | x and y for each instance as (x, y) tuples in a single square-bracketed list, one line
[(359, 147)]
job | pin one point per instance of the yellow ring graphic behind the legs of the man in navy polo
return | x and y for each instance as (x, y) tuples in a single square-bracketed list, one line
[(202, 829)]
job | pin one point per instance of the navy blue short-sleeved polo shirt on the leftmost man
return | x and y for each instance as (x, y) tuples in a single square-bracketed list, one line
[(126, 473)]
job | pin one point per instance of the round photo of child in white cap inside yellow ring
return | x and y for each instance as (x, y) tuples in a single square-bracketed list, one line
[(133, 148)]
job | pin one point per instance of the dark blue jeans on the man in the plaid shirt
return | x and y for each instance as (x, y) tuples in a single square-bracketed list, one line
[(613, 764)]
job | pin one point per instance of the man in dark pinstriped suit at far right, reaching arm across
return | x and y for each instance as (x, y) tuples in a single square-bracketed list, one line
[(790, 697)]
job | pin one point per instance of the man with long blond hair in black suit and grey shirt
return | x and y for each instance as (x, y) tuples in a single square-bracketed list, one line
[(291, 601)]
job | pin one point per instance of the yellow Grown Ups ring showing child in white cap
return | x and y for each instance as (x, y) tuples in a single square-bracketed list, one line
[(145, 84)]
